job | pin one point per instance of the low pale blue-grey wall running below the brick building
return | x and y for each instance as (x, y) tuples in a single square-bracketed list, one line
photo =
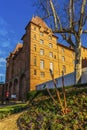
[(69, 79)]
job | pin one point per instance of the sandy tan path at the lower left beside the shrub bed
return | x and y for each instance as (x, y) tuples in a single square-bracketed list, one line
[(10, 123)]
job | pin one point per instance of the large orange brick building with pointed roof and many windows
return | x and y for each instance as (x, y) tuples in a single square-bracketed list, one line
[(29, 64)]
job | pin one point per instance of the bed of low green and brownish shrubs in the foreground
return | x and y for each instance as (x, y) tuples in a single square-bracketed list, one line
[(45, 115)]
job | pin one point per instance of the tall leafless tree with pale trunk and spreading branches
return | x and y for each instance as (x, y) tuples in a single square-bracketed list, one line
[(69, 19)]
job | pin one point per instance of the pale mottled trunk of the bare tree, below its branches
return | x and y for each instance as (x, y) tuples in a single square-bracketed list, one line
[(78, 62)]
